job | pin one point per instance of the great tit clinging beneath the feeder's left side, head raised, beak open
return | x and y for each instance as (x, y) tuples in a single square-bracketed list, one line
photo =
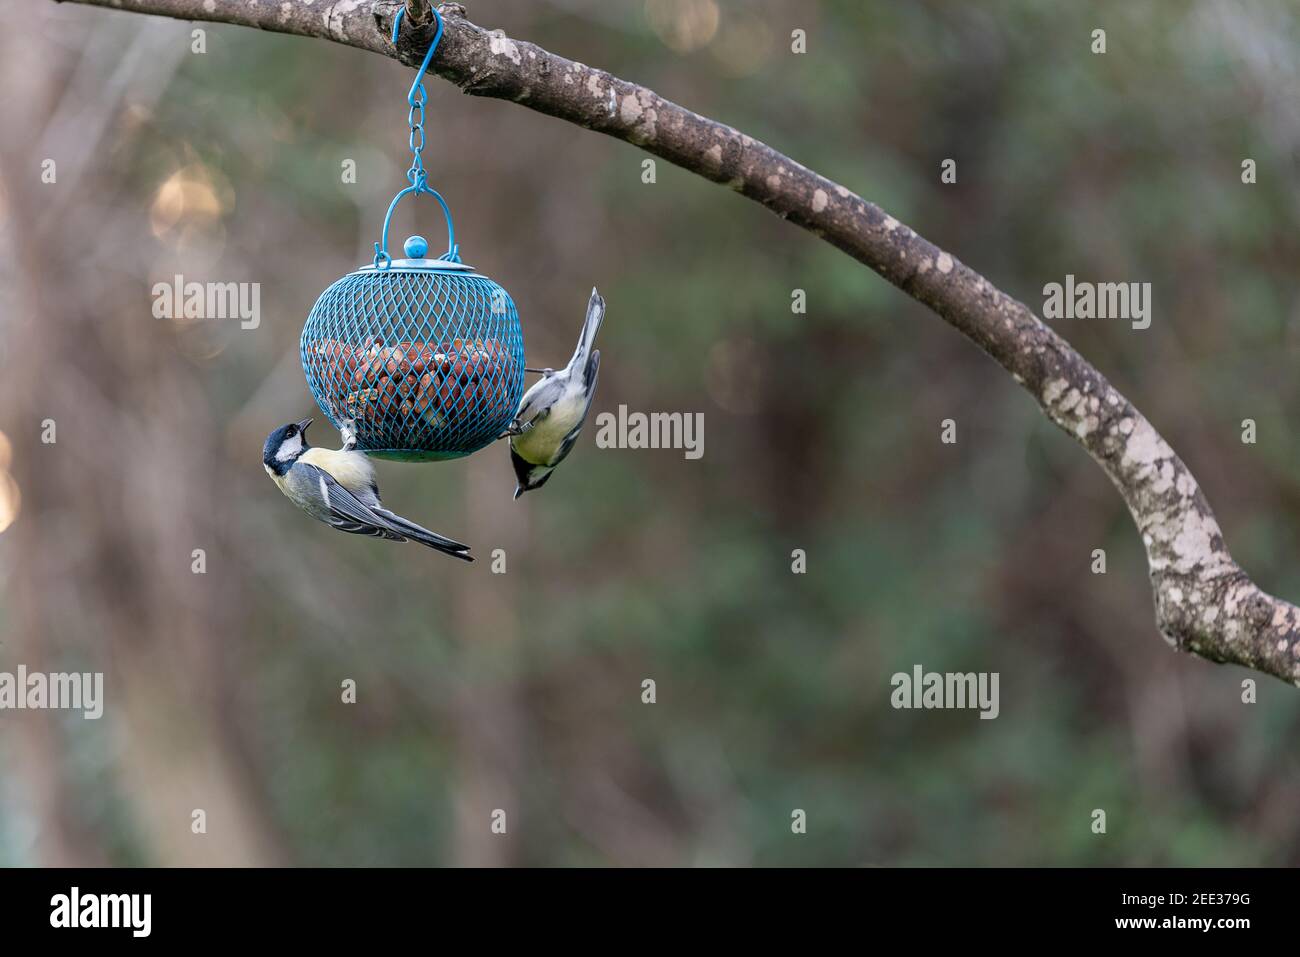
[(339, 488)]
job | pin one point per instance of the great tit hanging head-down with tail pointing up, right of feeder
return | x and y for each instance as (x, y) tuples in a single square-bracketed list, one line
[(552, 414)]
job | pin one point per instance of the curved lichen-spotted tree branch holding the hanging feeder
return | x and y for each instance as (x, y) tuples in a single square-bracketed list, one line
[(1204, 603)]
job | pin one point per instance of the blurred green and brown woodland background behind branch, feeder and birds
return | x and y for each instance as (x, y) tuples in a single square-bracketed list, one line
[(523, 691)]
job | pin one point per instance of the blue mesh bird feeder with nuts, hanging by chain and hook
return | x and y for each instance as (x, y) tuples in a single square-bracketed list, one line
[(419, 360)]
